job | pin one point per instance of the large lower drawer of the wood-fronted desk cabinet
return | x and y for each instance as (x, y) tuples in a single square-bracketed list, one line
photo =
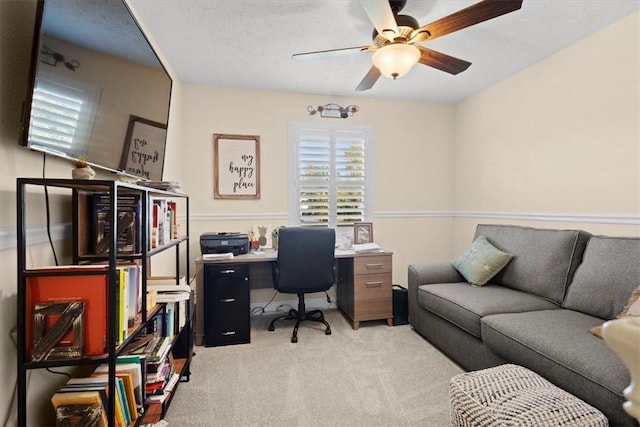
[(373, 296)]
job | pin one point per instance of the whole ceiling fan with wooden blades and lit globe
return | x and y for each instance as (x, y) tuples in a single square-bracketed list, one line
[(395, 38)]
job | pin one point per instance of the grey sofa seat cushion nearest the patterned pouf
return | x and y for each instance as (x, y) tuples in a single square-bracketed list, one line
[(557, 344)]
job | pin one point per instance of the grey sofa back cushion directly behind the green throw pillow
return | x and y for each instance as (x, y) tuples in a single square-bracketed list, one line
[(544, 260)]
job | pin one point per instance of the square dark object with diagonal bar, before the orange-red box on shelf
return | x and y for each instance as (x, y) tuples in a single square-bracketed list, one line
[(58, 331)]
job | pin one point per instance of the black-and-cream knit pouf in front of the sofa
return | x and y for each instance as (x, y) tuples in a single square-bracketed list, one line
[(510, 395)]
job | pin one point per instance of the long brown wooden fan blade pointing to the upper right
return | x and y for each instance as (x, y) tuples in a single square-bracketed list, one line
[(472, 15)]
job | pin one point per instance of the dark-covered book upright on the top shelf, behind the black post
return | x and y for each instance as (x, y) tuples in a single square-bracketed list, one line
[(129, 230)]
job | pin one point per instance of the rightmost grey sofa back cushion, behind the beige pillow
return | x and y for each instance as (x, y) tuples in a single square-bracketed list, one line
[(608, 275)]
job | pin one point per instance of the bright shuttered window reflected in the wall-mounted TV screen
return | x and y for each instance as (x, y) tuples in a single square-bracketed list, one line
[(62, 116)]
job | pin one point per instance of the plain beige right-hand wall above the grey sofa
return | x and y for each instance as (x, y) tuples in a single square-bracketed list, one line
[(556, 142)]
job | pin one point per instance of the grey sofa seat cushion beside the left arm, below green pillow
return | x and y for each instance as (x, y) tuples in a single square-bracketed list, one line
[(465, 305)]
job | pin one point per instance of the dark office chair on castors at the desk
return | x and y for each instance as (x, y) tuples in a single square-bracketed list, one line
[(305, 264)]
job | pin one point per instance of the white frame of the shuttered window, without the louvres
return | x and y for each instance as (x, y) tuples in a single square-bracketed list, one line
[(331, 129)]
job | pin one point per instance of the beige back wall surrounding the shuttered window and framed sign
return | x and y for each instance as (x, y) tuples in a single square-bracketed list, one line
[(412, 178)]
